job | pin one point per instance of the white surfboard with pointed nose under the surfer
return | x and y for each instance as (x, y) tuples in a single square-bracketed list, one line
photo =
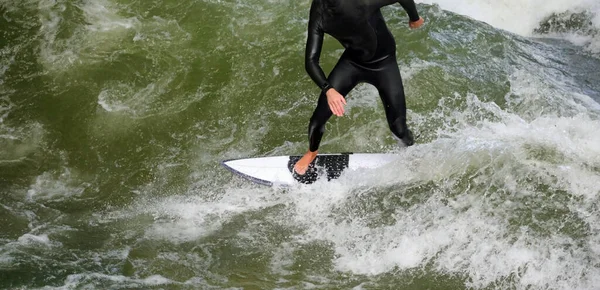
[(278, 170)]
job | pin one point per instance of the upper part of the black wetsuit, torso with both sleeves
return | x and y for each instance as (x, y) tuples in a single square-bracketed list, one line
[(358, 25)]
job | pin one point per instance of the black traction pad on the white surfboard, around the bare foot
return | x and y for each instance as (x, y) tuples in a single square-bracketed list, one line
[(331, 165)]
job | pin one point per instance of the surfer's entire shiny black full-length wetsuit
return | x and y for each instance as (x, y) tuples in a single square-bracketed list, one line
[(370, 56)]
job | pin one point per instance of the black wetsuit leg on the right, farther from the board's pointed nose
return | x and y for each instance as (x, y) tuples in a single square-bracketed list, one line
[(386, 78)]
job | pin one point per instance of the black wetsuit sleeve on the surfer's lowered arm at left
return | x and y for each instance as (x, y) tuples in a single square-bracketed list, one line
[(314, 43)]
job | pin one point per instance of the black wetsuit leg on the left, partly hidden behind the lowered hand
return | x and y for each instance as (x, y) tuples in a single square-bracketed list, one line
[(344, 77)]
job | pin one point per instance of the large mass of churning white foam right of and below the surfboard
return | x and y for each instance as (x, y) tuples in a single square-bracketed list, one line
[(464, 231)]
